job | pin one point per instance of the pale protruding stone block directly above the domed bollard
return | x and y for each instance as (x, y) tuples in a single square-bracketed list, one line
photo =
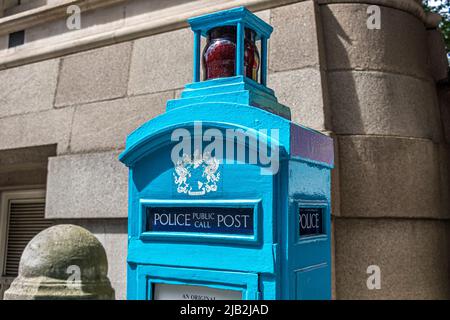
[(90, 185)]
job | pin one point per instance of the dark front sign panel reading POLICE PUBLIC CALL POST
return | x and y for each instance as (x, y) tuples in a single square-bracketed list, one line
[(219, 220)]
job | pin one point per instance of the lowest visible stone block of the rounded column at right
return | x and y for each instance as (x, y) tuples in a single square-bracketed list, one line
[(413, 257)]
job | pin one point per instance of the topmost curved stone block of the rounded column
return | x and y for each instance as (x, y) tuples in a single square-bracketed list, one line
[(400, 45)]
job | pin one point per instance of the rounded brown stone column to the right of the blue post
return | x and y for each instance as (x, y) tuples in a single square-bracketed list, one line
[(393, 210)]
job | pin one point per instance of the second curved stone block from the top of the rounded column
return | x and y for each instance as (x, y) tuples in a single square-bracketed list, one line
[(384, 104)]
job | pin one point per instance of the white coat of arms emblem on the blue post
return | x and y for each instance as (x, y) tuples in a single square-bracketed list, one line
[(197, 175)]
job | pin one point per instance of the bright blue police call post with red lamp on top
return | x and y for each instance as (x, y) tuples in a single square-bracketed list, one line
[(228, 199)]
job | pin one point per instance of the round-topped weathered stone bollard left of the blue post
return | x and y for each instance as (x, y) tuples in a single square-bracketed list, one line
[(62, 262)]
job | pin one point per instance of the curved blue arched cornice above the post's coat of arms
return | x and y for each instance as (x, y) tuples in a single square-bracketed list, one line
[(157, 131)]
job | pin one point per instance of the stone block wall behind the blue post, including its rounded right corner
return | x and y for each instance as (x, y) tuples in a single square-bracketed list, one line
[(373, 90)]
